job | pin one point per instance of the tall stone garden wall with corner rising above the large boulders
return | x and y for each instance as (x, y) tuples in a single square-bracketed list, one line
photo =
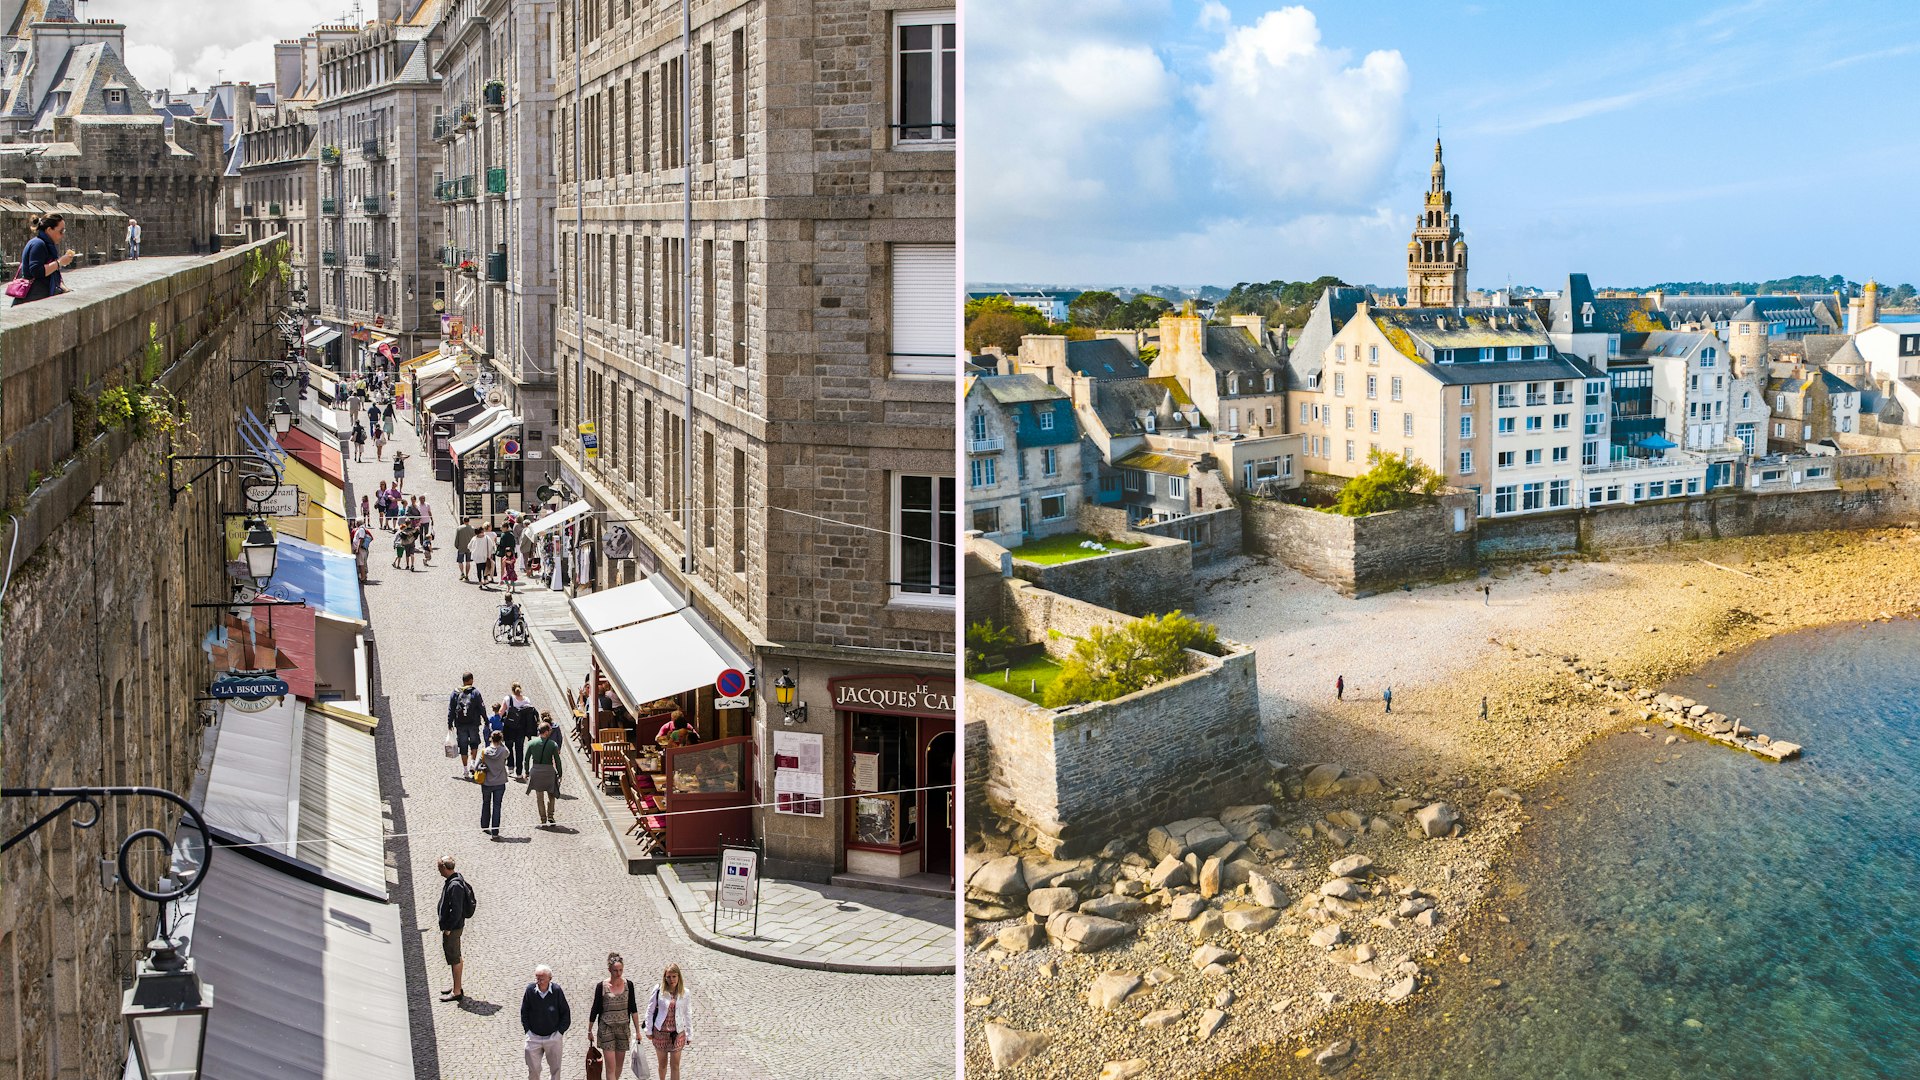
[(1084, 775)]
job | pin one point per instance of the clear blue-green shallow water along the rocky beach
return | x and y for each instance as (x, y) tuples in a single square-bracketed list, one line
[(1775, 906)]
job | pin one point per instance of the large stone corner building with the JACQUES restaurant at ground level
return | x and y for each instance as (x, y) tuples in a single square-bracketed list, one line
[(775, 389)]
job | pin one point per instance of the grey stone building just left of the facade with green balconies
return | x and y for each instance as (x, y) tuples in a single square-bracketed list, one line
[(375, 114)]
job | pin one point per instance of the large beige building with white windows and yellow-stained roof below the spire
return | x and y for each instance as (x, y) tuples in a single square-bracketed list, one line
[(1476, 393)]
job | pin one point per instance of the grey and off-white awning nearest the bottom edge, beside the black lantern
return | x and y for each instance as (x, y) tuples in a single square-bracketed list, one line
[(310, 985)]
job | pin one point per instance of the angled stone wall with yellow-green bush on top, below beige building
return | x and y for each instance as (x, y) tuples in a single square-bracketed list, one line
[(1362, 556)]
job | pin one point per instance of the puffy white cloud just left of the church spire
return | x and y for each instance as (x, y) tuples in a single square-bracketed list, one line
[(1293, 120)]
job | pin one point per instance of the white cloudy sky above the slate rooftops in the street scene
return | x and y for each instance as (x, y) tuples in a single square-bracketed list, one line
[(197, 43)]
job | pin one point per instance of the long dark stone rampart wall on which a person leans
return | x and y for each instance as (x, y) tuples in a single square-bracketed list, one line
[(101, 652)]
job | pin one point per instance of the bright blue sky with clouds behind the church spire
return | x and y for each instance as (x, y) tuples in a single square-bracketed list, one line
[(1195, 141)]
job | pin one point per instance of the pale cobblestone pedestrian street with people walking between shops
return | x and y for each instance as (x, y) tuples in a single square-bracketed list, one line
[(562, 896)]
